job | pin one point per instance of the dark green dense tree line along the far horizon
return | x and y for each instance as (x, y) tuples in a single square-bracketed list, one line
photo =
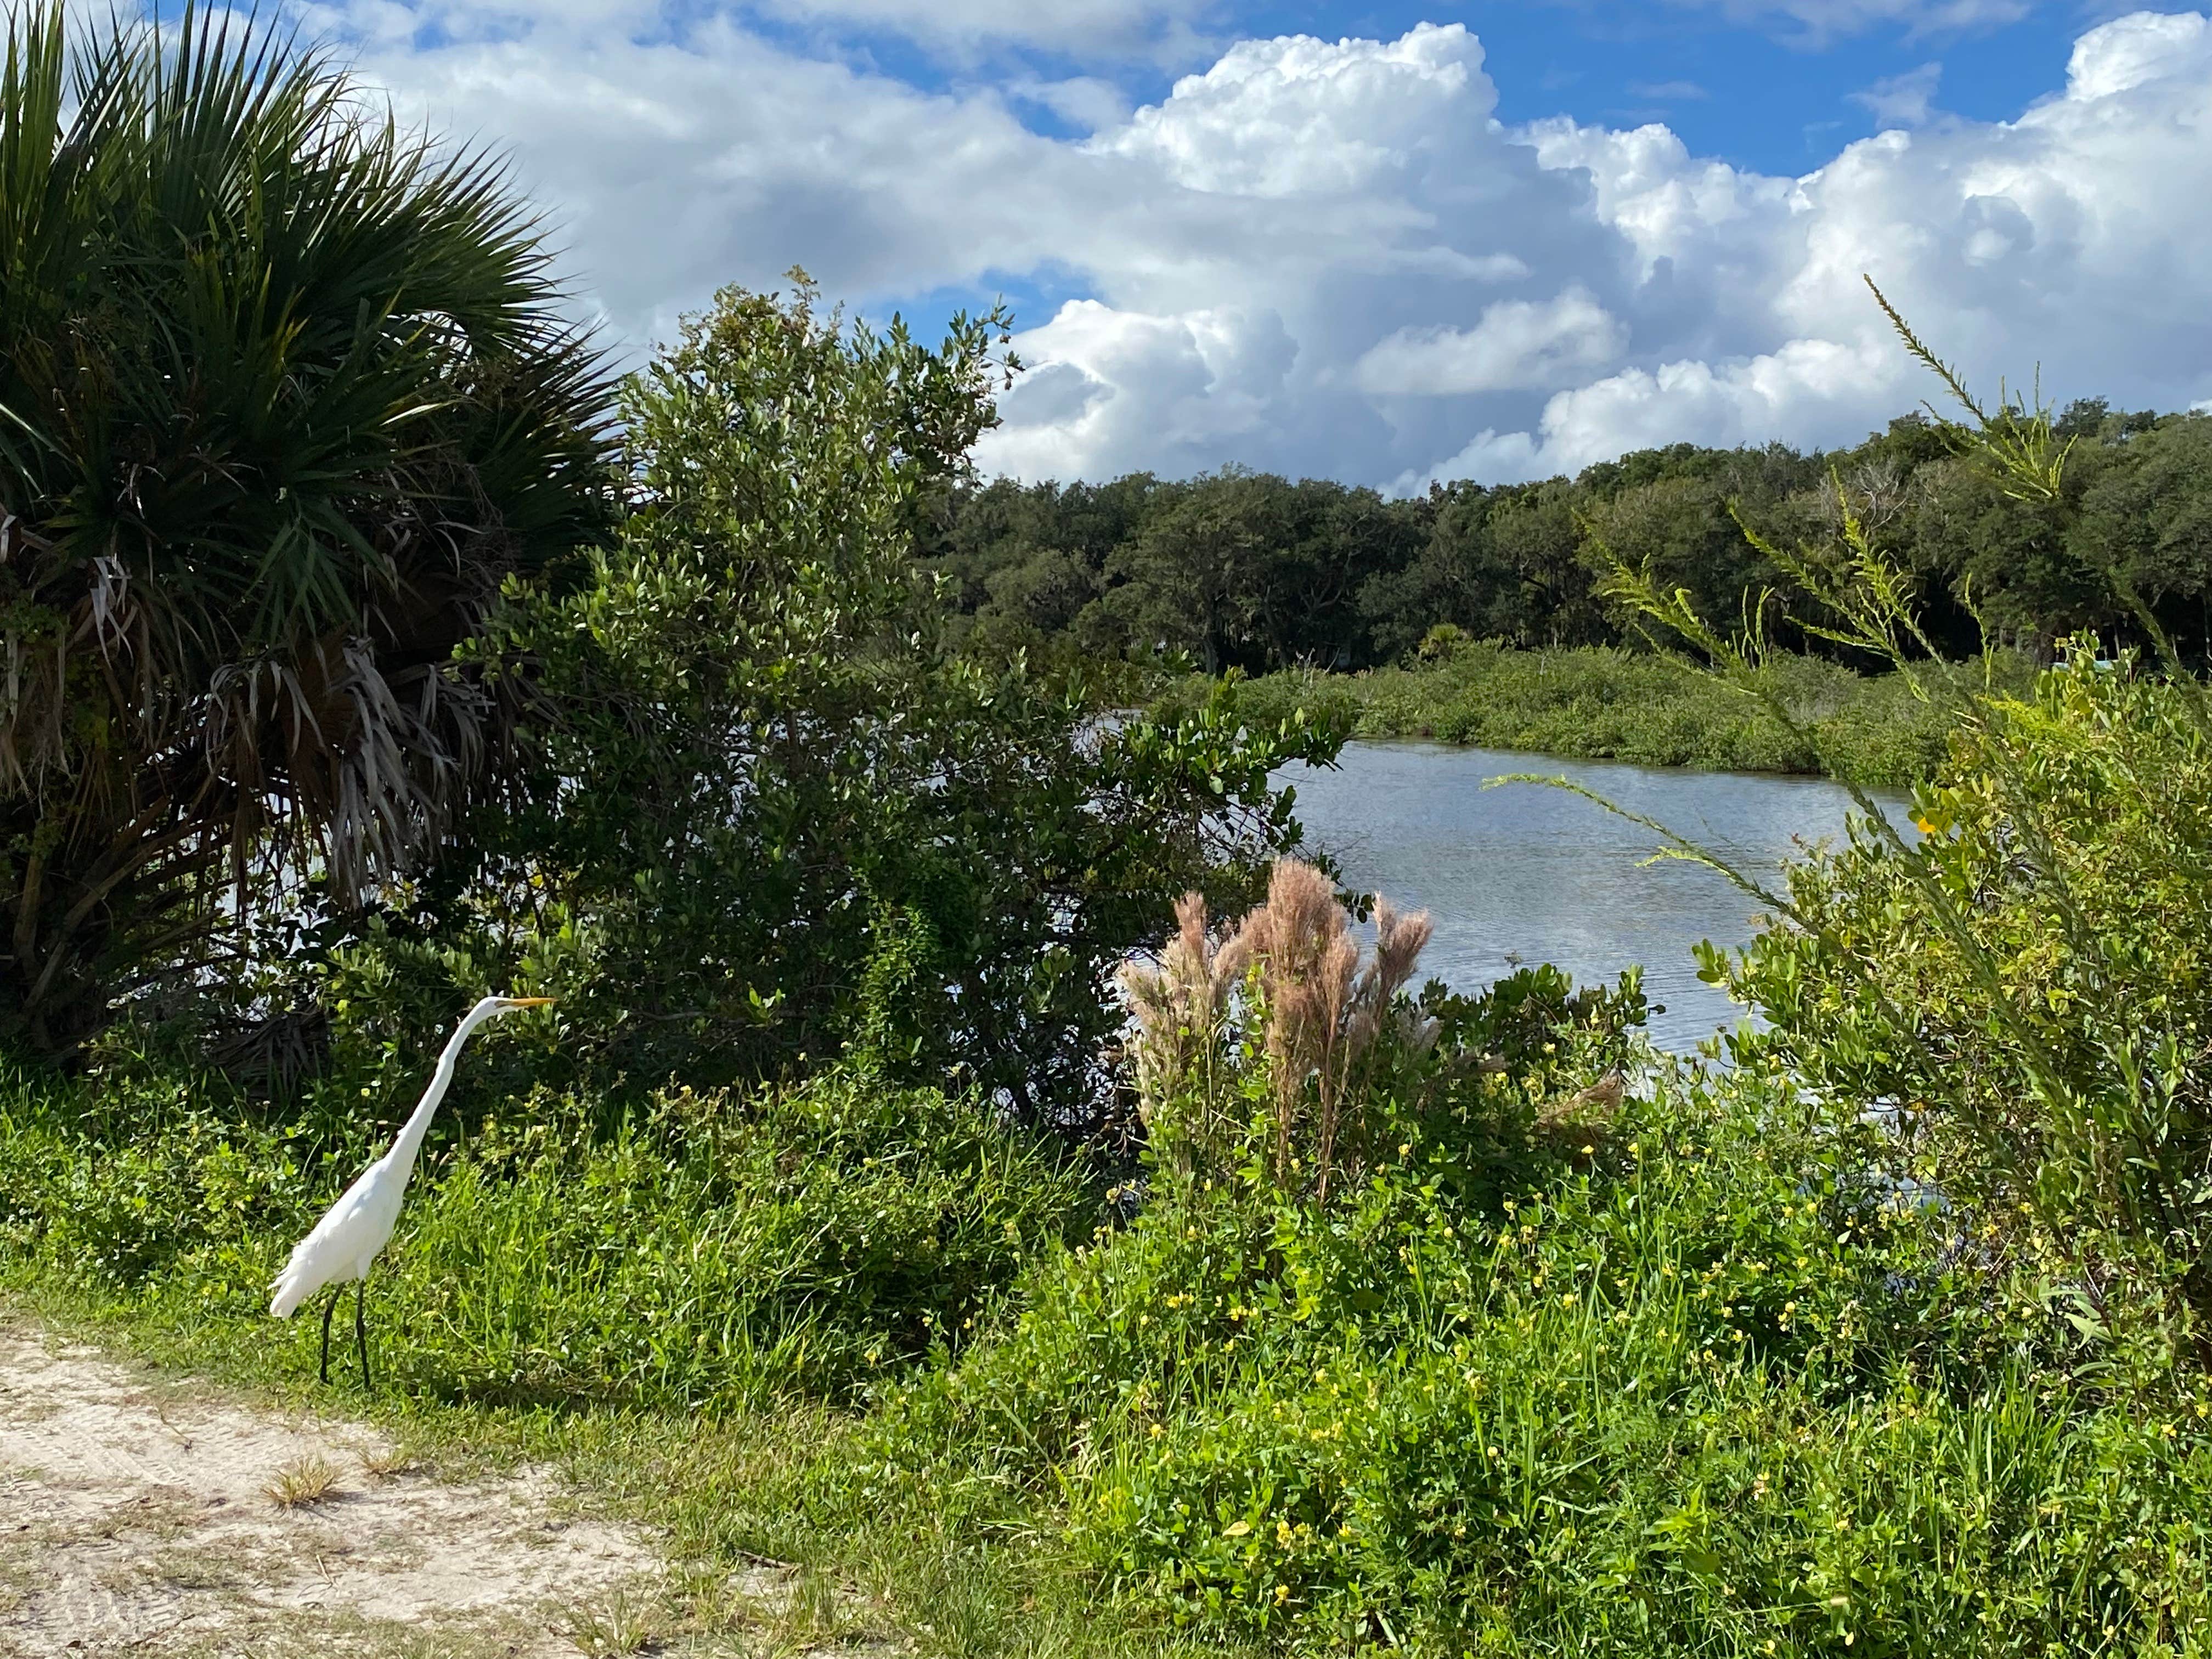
[(1258, 572)]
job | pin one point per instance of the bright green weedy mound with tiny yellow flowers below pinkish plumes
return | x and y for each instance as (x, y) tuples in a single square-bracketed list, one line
[(1698, 1386)]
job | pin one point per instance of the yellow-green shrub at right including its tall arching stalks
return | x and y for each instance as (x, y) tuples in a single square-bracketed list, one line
[(2023, 990)]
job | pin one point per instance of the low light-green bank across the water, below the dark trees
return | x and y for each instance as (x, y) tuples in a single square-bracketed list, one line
[(1605, 705)]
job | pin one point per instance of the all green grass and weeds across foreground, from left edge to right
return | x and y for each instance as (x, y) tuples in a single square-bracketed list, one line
[(1678, 1381)]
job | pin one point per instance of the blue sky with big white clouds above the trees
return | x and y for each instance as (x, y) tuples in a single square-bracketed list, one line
[(1375, 240)]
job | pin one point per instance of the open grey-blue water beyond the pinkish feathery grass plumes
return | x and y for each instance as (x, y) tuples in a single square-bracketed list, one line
[(1525, 875)]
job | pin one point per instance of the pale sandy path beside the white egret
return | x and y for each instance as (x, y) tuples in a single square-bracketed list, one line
[(134, 1521)]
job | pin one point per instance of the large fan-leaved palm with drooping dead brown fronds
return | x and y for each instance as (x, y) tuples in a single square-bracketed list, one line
[(286, 395)]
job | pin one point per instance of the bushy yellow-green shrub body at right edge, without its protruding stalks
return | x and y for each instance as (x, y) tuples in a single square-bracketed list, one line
[(2027, 985)]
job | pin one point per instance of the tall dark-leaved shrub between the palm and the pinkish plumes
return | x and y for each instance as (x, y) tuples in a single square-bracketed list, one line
[(769, 769)]
